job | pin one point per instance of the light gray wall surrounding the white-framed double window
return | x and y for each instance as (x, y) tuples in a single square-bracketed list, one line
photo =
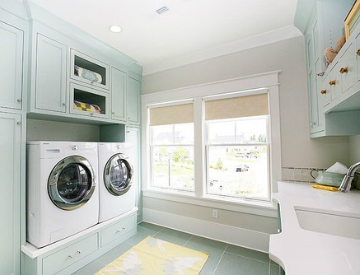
[(298, 150)]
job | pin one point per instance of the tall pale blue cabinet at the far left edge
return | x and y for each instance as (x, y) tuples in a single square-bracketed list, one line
[(13, 56)]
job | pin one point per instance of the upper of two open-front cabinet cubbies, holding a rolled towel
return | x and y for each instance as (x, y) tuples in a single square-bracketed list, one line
[(89, 70)]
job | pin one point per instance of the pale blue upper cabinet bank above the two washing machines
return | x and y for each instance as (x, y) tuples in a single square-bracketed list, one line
[(73, 81)]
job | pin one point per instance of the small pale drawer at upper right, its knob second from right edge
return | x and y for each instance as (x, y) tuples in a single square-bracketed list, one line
[(347, 69)]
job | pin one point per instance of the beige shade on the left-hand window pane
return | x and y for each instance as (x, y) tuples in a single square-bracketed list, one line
[(174, 114)]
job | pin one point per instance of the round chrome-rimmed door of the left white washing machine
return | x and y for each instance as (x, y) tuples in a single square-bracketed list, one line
[(71, 183)]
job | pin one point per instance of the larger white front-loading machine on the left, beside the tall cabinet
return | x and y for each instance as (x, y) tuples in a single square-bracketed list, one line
[(62, 190)]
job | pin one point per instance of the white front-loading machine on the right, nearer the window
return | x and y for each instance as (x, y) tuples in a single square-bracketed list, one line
[(117, 186)]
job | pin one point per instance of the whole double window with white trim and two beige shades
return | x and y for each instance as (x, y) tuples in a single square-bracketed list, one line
[(214, 145)]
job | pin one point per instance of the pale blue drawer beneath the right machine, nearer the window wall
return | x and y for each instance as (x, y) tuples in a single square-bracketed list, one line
[(117, 230)]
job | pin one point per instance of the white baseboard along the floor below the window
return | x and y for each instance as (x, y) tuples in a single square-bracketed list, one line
[(225, 233)]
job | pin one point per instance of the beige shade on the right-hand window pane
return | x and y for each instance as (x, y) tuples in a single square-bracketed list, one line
[(235, 107)]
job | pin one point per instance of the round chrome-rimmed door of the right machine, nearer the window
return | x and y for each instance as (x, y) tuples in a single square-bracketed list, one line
[(118, 174)]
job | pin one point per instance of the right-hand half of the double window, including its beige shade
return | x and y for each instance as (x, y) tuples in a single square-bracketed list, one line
[(237, 148)]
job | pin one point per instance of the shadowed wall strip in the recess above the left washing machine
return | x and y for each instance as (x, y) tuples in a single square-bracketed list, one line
[(60, 131)]
